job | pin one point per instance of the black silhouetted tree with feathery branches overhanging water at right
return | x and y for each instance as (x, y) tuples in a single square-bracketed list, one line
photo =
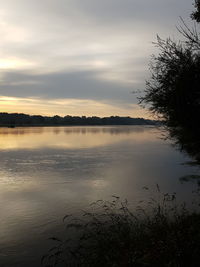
[(173, 92)]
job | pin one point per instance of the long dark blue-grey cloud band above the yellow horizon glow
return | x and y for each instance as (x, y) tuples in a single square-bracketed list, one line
[(80, 85)]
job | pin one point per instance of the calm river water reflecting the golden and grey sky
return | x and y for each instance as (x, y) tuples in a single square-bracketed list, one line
[(48, 172)]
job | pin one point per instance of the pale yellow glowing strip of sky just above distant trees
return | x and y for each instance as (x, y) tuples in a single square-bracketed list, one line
[(71, 106)]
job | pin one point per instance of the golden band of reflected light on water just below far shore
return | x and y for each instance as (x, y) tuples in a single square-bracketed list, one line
[(69, 137)]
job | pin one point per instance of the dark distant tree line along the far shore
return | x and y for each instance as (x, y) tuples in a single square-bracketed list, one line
[(16, 119)]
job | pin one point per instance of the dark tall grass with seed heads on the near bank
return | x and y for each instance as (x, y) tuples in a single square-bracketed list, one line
[(159, 233)]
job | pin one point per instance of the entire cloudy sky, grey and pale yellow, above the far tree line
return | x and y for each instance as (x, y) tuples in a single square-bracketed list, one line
[(81, 57)]
